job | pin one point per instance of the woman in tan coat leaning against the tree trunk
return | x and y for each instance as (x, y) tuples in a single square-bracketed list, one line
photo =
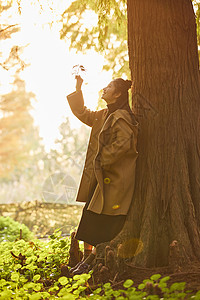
[(107, 182)]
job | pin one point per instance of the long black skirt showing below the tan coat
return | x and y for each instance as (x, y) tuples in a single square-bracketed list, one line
[(98, 228)]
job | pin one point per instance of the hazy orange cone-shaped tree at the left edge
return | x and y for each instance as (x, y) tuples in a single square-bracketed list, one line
[(15, 123)]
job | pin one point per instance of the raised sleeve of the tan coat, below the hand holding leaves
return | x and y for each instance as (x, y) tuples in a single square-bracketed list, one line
[(76, 103)]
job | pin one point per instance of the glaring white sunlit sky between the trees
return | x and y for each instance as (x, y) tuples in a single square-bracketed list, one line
[(49, 74)]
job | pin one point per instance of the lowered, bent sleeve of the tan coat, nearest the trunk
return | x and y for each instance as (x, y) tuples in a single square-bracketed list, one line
[(122, 142)]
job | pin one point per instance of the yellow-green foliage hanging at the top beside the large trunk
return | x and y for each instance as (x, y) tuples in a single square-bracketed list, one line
[(107, 34)]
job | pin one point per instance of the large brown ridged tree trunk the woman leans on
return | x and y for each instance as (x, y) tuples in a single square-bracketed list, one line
[(166, 96)]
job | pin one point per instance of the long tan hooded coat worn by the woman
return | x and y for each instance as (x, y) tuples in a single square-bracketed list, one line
[(109, 172)]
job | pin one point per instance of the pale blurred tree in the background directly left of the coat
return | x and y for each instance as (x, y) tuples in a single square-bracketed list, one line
[(63, 165)]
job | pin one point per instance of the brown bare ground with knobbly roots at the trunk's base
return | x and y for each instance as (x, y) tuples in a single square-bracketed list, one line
[(110, 268)]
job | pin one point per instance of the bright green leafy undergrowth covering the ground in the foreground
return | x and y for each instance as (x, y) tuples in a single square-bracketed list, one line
[(32, 270)]
